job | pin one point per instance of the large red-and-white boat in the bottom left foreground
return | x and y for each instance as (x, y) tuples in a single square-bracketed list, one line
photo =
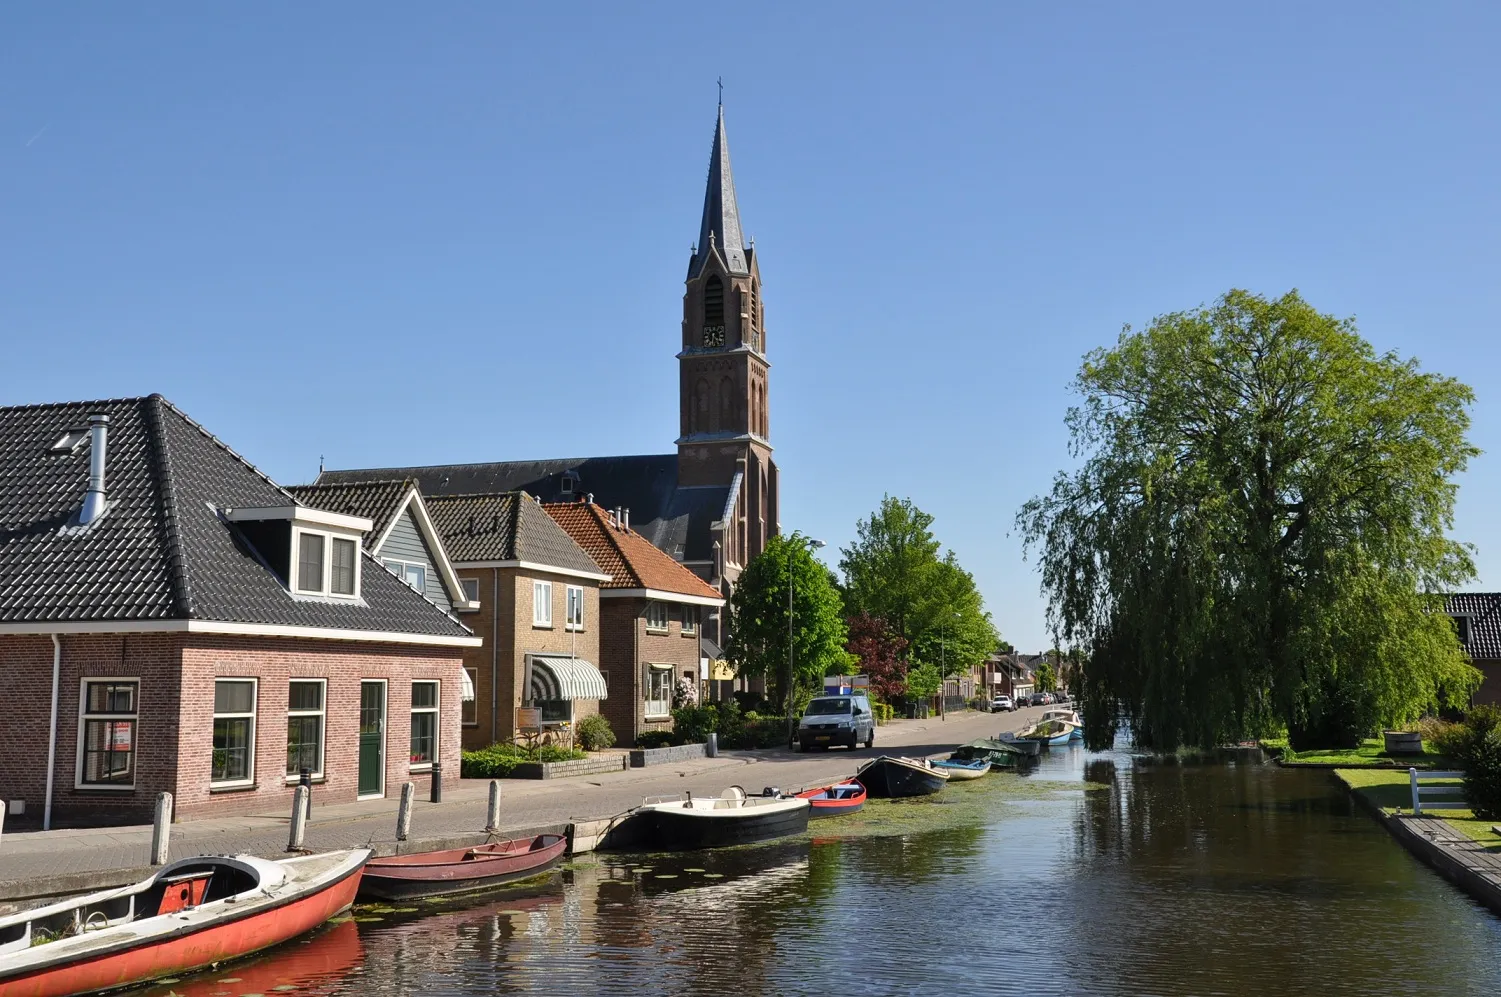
[(190, 917)]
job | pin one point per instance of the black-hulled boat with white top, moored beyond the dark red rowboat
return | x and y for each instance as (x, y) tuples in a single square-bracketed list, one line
[(732, 819)]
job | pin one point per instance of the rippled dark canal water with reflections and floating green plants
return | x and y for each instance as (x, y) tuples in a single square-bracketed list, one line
[(1096, 875)]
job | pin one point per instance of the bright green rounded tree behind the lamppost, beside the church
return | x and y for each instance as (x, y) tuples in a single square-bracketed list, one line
[(760, 622)]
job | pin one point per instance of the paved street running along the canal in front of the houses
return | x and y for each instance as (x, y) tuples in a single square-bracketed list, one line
[(58, 863)]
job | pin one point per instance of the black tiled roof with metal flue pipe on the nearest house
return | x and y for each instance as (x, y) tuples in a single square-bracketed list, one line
[(164, 549)]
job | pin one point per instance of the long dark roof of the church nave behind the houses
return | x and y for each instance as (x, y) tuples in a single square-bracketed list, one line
[(676, 520)]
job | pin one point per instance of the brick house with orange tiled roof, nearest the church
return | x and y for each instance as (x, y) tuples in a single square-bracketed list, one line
[(651, 619)]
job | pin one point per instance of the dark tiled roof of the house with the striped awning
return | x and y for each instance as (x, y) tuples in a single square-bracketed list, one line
[(508, 526)]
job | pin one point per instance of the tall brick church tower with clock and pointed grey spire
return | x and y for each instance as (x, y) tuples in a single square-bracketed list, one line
[(726, 426)]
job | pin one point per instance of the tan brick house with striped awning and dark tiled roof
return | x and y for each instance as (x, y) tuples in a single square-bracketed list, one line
[(534, 597)]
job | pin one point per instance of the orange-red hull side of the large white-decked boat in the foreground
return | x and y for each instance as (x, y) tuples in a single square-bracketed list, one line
[(217, 942)]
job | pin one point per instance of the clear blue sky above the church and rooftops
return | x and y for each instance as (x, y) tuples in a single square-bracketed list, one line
[(397, 235)]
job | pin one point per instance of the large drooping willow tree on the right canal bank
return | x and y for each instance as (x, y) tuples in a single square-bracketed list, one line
[(1257, 535)]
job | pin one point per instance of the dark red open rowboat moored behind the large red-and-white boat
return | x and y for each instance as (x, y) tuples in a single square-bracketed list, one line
[(460, 870)]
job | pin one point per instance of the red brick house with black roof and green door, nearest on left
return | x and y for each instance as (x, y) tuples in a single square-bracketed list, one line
[(173, 621)]
